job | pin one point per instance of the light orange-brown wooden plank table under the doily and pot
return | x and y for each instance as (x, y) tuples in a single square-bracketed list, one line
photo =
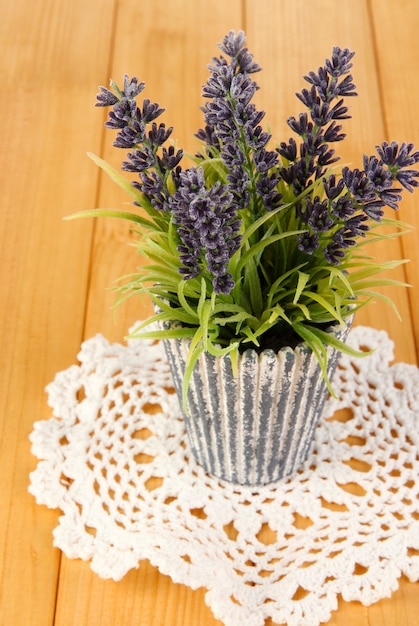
[(55, 274)]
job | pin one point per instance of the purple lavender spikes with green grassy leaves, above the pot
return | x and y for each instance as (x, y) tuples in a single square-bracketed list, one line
[(254, 245)]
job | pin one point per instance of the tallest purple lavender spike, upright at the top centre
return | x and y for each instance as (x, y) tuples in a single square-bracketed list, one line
[(233, 128)]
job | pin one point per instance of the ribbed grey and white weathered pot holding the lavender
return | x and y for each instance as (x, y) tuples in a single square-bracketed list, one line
[(256, 427)]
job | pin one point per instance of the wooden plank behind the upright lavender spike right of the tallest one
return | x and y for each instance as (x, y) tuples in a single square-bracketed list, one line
[(292, 38)]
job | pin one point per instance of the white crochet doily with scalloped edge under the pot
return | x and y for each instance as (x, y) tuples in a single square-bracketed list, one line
[(115, 459)]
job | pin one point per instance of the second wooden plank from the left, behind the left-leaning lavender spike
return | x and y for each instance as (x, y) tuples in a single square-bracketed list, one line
[(168, 45)]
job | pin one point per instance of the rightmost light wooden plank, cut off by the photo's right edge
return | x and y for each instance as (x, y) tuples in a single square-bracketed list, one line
[(395, 30)]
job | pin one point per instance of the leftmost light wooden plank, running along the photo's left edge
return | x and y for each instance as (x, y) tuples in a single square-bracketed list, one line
[(50, 55)]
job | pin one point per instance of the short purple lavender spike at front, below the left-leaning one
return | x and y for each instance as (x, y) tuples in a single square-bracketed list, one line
[(208, 227)]
